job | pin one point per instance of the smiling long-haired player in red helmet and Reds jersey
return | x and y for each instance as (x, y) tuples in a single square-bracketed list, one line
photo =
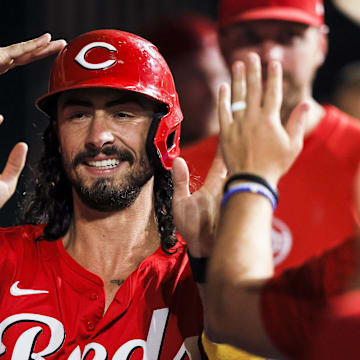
[(98, 270)]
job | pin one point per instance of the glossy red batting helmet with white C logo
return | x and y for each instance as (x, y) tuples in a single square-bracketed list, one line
[(119, 60)]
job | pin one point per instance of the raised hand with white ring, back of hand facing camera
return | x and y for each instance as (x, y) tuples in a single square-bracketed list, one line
[(253, 139)]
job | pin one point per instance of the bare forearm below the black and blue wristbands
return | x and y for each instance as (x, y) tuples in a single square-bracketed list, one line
[(240, 264)]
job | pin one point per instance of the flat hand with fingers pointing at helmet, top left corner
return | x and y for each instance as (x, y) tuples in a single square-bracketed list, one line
[(28, 51)]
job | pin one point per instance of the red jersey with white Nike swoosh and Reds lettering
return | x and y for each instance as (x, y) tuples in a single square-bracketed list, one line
[(51, 307)]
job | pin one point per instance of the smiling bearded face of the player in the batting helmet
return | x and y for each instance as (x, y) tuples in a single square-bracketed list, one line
[(102, 136)]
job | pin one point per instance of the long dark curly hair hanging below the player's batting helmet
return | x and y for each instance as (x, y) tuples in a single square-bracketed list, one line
[(50, 199)]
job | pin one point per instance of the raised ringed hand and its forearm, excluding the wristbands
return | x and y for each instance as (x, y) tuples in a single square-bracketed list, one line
[(253, 140)]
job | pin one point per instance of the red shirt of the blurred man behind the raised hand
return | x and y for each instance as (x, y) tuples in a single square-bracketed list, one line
[(315, 210)]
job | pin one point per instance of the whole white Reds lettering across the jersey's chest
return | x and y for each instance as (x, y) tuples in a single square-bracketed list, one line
[(26, 342)]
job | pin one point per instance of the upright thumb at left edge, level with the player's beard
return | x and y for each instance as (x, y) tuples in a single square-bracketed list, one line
[(15, 163)]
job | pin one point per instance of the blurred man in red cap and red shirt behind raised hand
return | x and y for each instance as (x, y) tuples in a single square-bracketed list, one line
[(316, 212)]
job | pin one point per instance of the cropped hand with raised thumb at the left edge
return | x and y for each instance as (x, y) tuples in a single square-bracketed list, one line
[(11, 173)]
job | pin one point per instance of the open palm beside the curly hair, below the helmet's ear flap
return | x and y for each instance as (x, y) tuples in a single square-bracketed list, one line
[(196, 214)]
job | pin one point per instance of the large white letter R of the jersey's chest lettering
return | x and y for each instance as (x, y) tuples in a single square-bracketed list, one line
[(26, 342)]
